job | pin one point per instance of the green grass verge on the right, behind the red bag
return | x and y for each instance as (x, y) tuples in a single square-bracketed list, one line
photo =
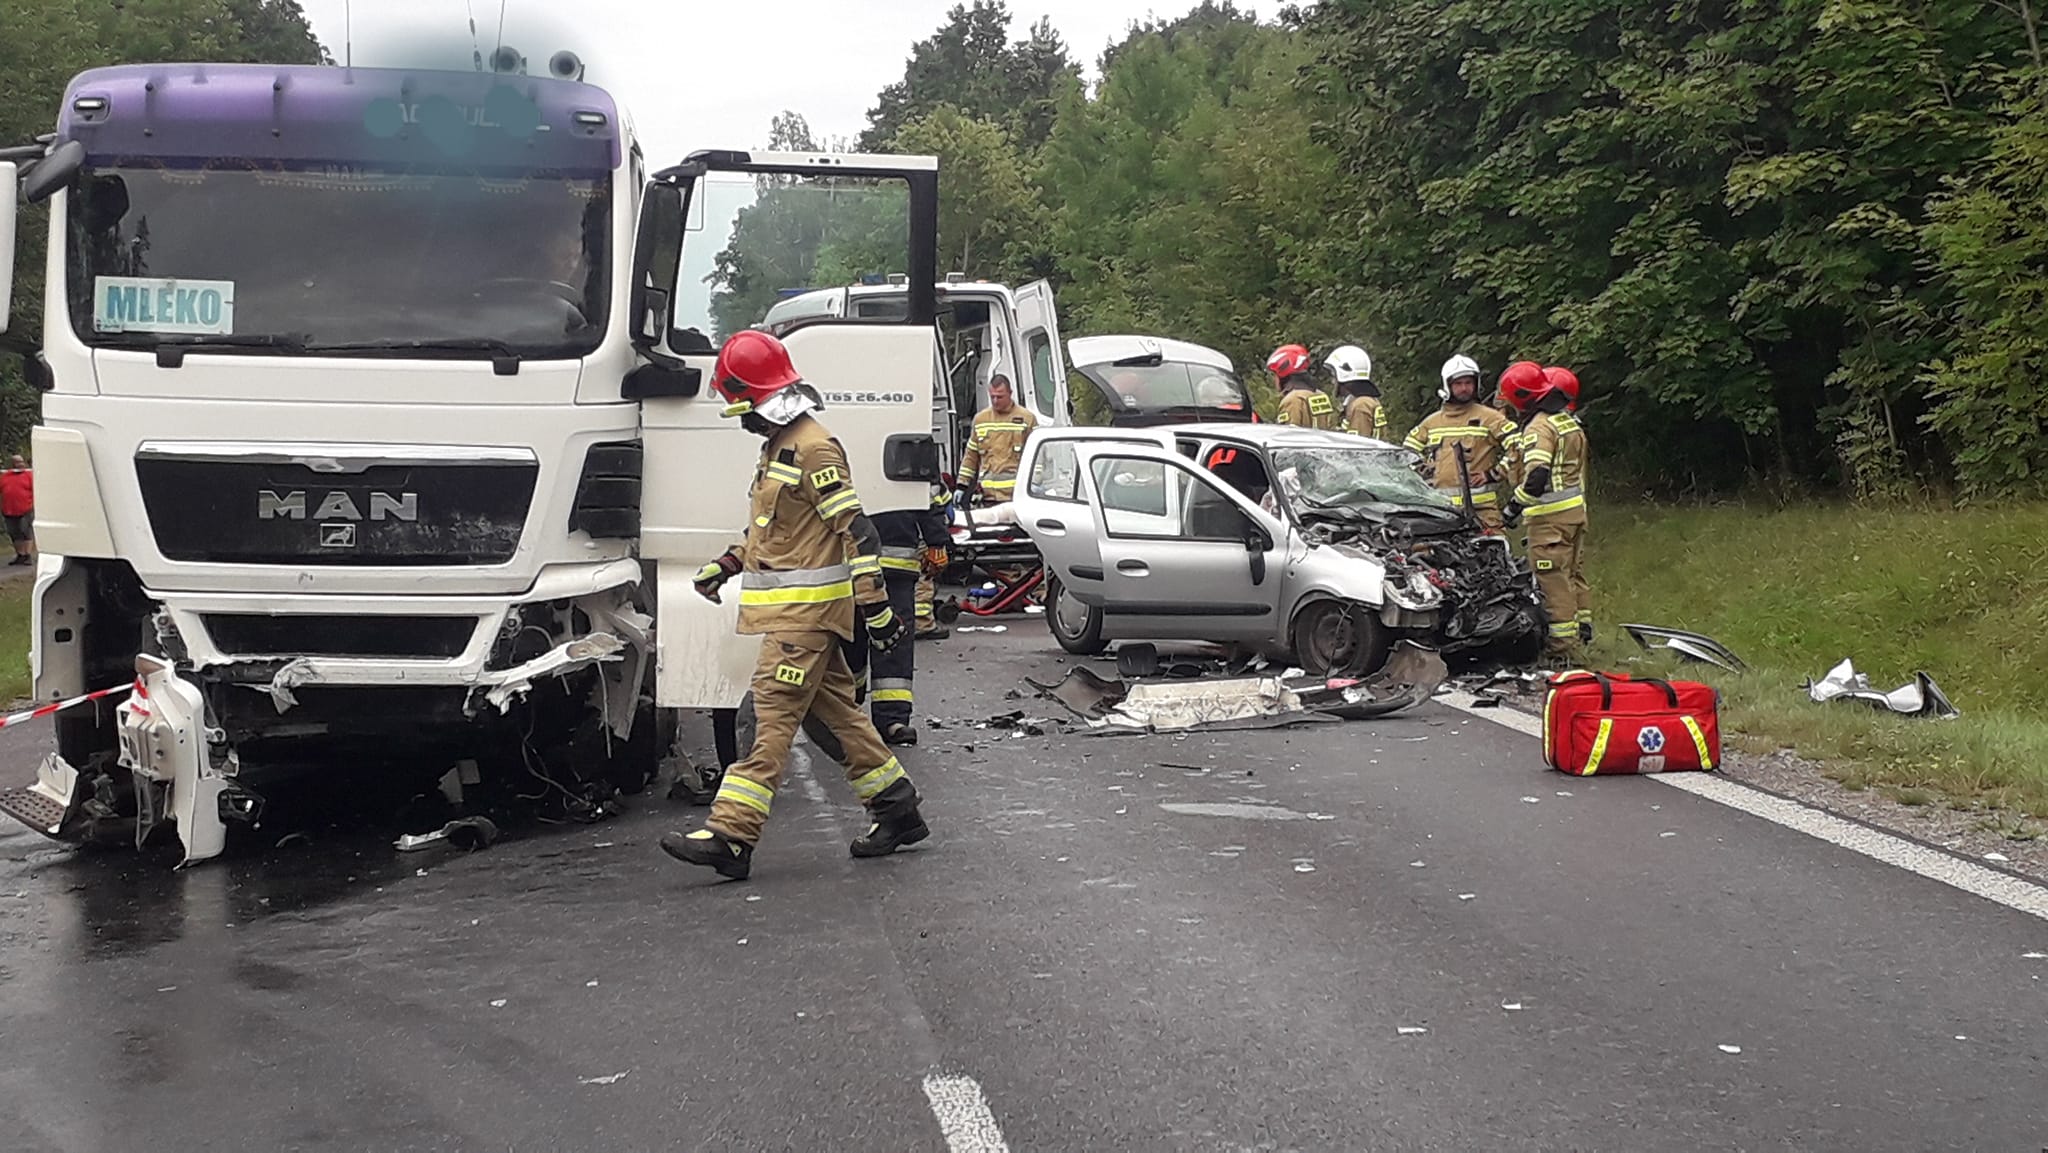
[(1957, 593)]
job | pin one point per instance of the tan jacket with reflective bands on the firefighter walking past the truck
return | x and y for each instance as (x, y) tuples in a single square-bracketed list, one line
[(810, 550)]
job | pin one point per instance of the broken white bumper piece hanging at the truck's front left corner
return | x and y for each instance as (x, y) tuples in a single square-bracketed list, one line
[(165, 742)]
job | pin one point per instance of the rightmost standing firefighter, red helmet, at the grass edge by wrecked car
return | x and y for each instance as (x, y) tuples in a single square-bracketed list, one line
[(1551, 497)]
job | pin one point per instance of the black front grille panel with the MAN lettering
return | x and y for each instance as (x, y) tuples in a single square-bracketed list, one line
[(286, 513)]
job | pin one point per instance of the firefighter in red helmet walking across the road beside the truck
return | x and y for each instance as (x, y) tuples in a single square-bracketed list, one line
[(808, 560)]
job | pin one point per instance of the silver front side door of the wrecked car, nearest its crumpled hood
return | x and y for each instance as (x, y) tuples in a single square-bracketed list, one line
[(1183, 556)]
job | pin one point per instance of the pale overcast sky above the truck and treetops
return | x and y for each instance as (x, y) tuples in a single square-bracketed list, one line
[(708, 73)]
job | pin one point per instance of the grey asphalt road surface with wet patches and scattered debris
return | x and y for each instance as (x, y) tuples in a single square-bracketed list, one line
[(1125, 943)]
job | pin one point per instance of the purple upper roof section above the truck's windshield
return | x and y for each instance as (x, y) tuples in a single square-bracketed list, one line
[(341, 116)]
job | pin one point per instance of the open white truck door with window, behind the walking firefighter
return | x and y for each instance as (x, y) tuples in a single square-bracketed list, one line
[(722, 239)]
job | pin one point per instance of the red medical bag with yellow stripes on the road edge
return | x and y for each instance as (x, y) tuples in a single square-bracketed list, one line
[(1603, 722)]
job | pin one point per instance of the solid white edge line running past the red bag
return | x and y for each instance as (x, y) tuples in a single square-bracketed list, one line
[(1930, 863)]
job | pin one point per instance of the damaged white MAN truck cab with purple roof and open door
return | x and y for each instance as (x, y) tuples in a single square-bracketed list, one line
[(378, 435)]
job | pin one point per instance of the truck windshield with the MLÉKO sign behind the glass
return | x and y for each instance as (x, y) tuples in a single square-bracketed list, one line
[(341, 261)]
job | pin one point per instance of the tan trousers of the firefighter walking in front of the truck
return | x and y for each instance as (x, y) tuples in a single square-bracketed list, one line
[(796, 675)]
